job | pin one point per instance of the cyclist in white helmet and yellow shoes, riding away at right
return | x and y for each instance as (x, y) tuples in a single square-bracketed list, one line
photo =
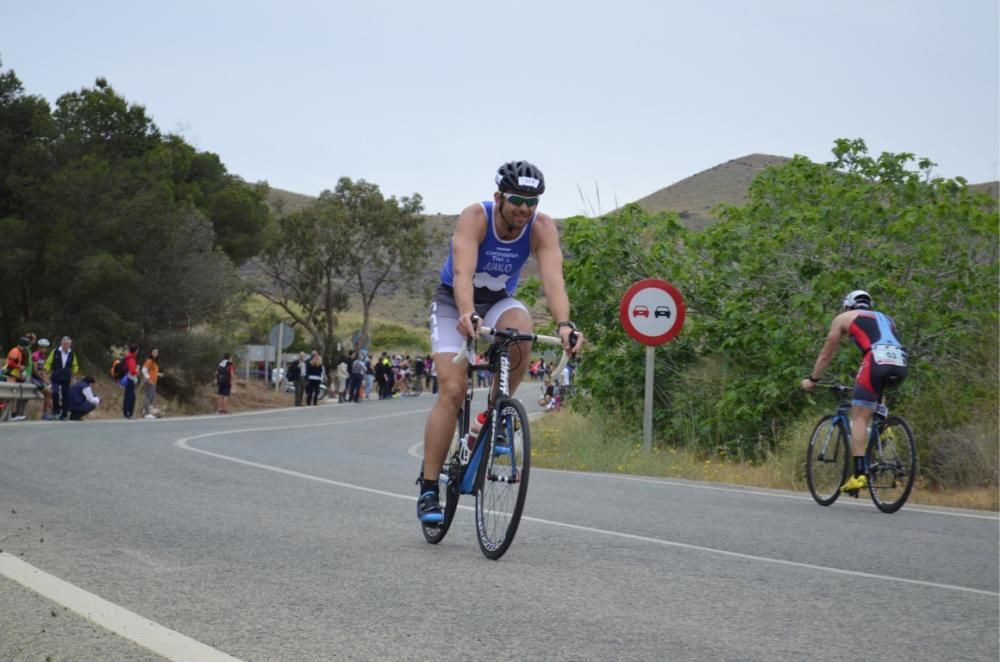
[(883, 363)]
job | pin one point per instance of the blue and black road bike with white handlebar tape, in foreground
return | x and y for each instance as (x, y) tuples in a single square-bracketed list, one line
[(496, 467)]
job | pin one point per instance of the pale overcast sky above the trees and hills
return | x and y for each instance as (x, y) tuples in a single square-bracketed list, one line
[(430, 97)]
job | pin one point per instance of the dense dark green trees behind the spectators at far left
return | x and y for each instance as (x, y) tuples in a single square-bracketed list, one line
[(108, 227)]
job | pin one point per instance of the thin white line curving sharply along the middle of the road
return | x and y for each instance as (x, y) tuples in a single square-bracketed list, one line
[(183, 444)]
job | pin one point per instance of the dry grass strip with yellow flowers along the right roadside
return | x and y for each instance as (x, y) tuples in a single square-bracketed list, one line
[(567, 440)]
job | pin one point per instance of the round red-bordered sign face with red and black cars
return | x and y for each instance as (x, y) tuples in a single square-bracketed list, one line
[(652, 311)]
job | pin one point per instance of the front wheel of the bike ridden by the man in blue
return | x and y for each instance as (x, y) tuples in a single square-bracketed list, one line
[(502, 479)]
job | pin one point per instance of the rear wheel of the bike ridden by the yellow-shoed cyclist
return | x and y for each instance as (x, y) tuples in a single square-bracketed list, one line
[(892, 464)]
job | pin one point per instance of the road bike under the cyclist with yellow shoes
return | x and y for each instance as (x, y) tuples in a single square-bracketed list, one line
[(890, 455)]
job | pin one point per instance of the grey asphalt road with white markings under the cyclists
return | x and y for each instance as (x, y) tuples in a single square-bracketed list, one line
[(291, 535)]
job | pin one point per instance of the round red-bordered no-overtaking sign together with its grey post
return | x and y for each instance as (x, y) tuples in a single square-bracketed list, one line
[(652, 312)]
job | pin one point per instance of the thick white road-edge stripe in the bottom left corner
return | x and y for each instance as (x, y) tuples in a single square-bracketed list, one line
[(144, 632)]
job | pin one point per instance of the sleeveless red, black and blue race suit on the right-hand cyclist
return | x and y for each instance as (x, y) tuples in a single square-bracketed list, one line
[(883, 360)]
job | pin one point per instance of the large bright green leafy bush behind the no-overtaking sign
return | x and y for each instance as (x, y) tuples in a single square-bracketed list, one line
[(763, 285)]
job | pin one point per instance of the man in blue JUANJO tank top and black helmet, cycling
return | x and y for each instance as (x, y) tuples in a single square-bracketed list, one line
[(492, 241)]
